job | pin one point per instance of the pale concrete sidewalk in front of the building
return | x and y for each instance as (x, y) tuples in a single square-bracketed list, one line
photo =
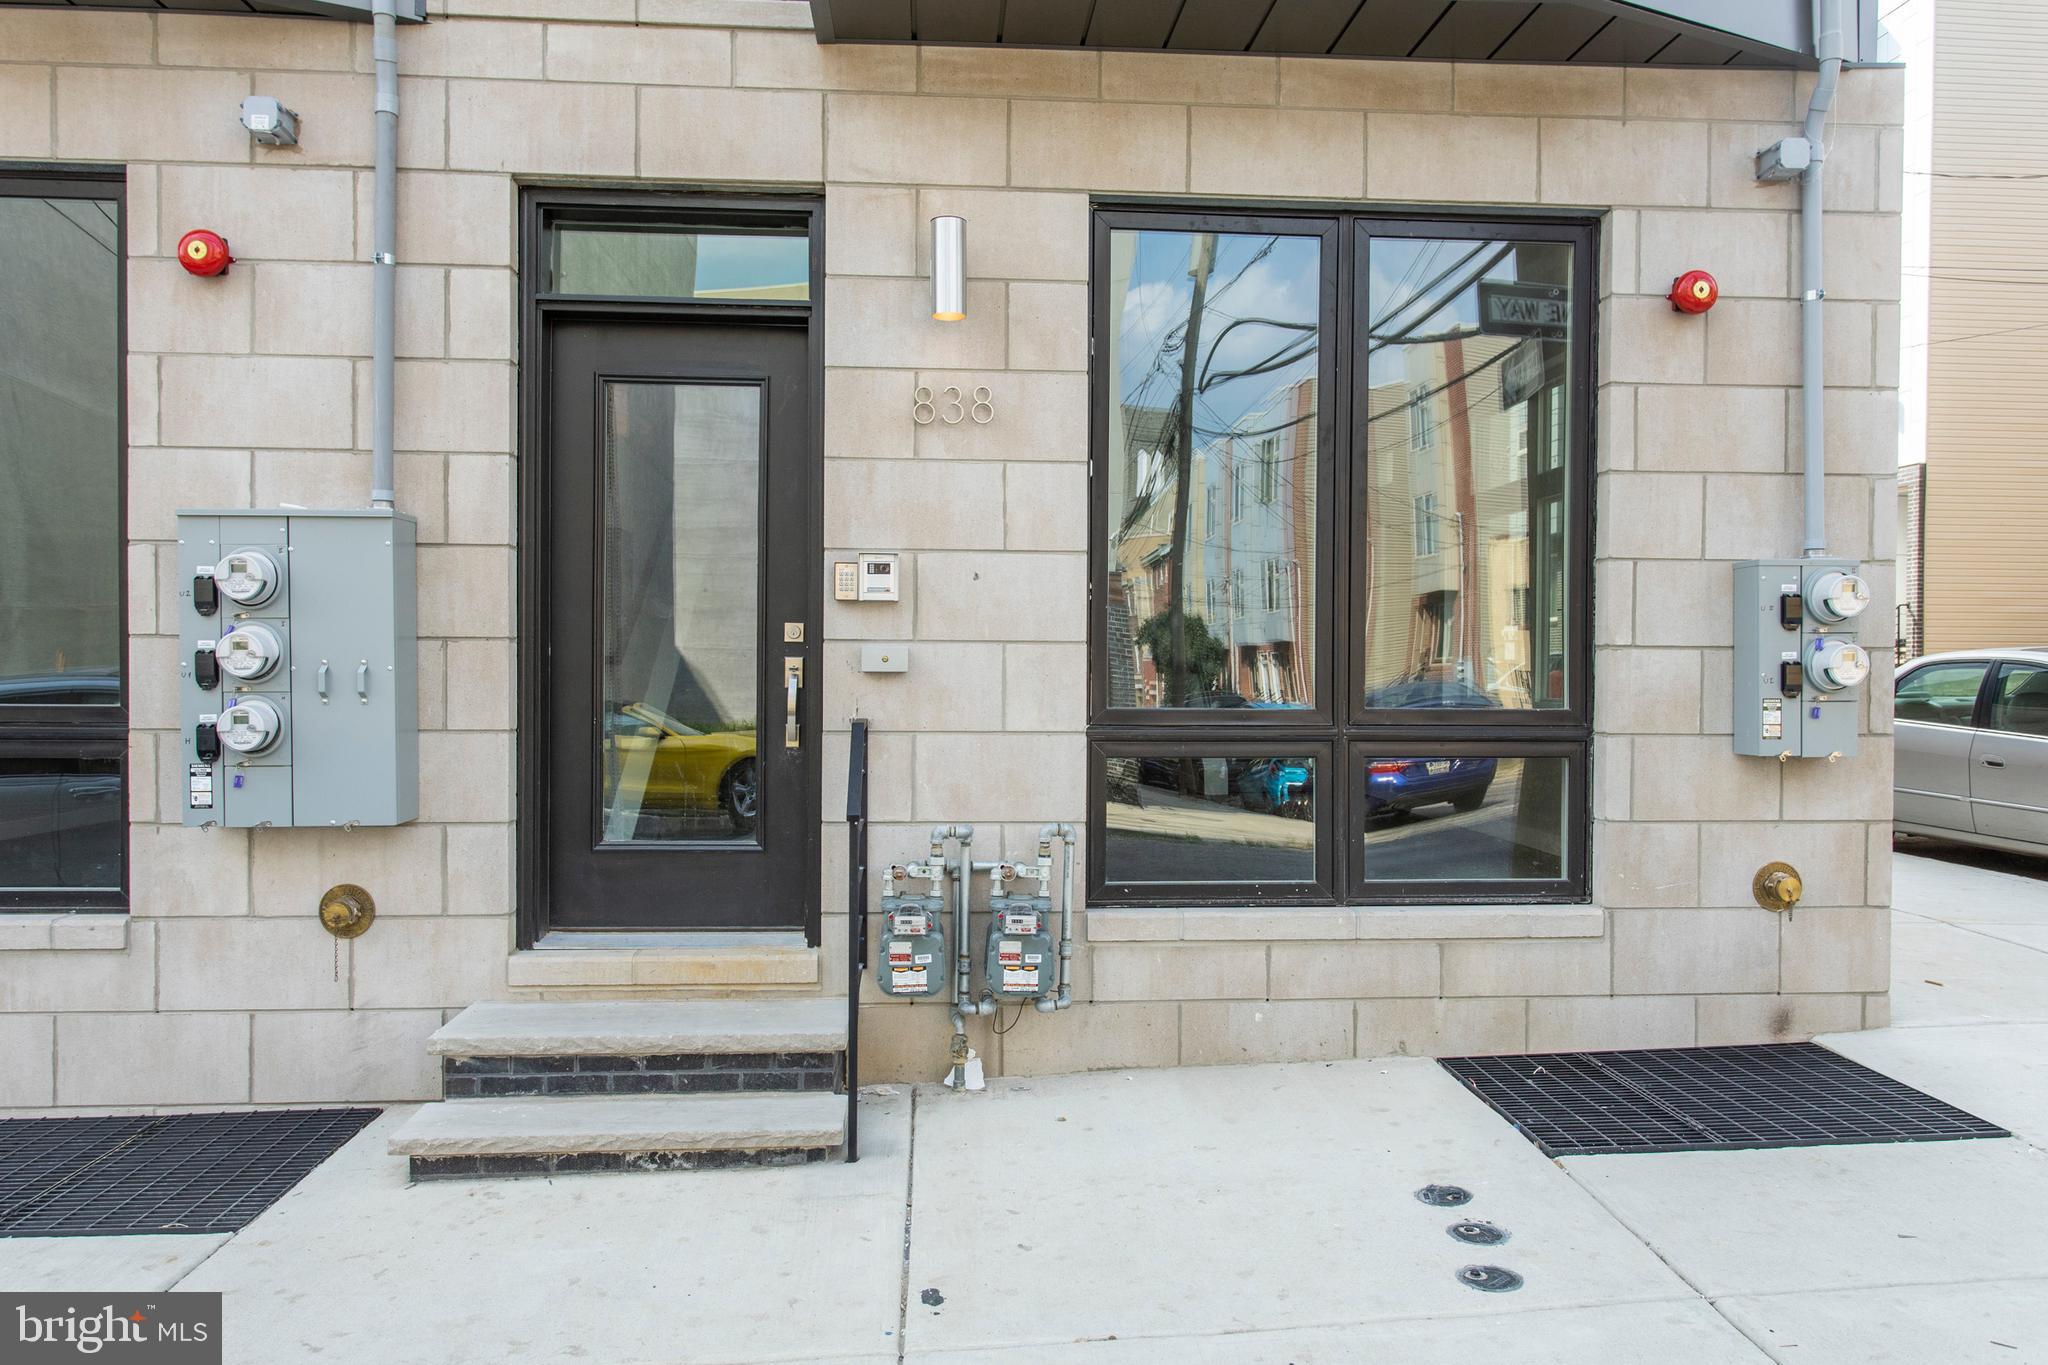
[(1222, 1215)]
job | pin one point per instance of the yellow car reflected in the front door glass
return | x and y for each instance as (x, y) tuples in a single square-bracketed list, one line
[(671, 770)]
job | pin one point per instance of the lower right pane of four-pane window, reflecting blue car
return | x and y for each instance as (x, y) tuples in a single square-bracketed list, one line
[(1465, 820)]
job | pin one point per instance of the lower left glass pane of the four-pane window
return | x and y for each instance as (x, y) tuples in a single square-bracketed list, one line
[(1209, 820)]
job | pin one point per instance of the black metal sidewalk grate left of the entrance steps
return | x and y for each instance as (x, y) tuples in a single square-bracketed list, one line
[(161, 1174)]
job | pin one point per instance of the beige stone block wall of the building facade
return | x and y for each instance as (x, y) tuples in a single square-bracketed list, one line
[(255, 390)]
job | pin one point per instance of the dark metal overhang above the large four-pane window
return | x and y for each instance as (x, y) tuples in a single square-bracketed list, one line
[(1680, 34)]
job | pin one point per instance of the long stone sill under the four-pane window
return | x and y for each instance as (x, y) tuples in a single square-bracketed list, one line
[(1390, 922)]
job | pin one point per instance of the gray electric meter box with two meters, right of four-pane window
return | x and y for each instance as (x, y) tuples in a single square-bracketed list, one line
[(1799, 668)]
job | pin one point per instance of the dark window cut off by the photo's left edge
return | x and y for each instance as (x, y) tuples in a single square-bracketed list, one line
[(62, 631)]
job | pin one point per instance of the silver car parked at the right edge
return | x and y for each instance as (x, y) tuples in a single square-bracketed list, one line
[(1971, 736)]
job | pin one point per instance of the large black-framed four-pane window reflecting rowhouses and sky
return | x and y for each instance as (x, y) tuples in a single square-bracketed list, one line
[(1340, 582)]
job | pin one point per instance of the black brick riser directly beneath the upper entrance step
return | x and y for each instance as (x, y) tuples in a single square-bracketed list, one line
[(712, 1073)]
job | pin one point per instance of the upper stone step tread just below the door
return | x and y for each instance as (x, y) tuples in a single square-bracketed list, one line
[(642, 1028)]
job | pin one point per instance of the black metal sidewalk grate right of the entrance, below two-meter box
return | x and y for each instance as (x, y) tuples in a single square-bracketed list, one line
[(1701, 1100)]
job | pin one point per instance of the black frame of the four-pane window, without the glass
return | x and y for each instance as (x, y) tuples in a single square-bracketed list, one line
[(1336, 730)]
